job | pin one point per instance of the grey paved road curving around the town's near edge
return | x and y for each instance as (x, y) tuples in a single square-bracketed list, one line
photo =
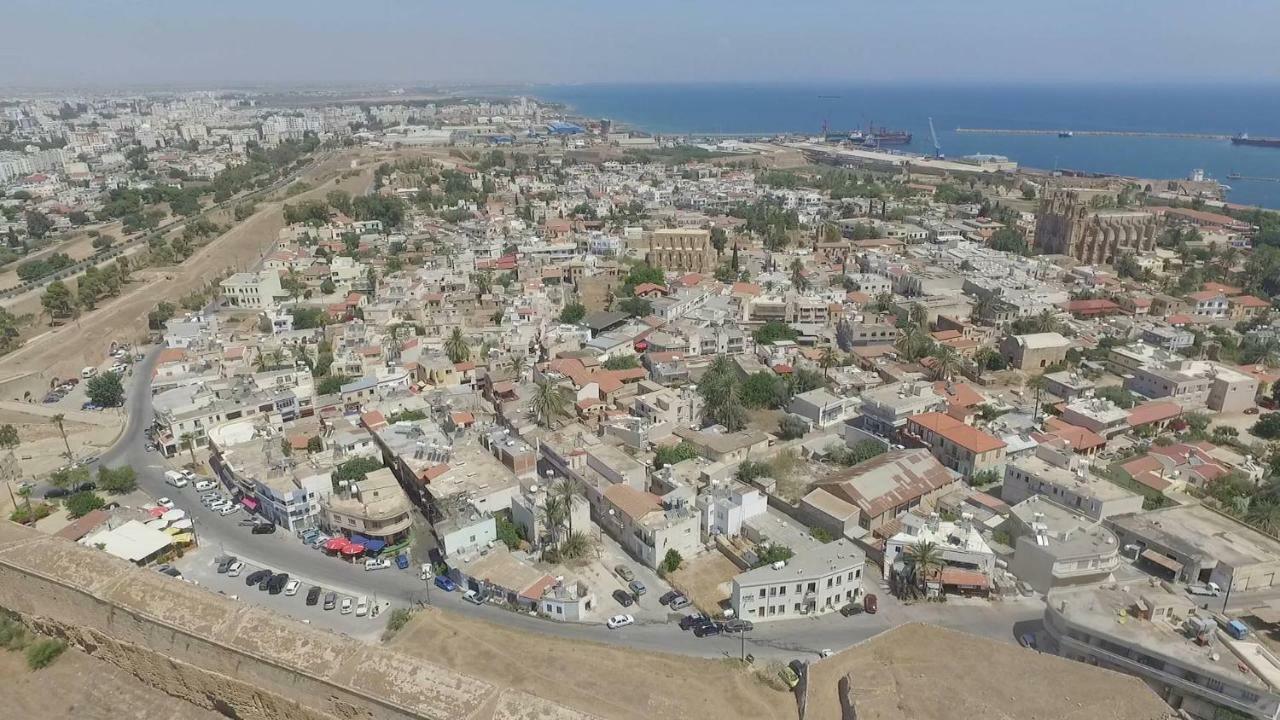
[(285, 553)]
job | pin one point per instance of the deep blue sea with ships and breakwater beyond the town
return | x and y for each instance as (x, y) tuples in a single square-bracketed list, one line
[(804, 108)]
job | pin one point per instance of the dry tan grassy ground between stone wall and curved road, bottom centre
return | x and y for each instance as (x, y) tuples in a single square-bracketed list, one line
[(609, 682)]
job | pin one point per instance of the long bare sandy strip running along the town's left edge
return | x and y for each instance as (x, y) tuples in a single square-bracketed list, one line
[(61, 352)]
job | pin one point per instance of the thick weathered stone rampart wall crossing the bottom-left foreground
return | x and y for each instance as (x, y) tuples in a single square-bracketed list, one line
[(225, 655)]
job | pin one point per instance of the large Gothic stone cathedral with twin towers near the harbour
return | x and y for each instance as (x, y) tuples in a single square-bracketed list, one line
[(1067, 225)]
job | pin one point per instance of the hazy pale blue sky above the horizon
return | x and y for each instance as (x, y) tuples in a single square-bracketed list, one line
[(211, 43)]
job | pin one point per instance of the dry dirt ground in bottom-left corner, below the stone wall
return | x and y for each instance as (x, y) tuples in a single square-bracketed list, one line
[(77, 686)]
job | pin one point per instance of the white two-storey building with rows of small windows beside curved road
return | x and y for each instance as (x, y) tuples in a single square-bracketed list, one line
[(815, 582)]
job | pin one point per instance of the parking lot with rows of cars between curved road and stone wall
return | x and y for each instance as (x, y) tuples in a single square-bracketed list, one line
[(200, 566)]
